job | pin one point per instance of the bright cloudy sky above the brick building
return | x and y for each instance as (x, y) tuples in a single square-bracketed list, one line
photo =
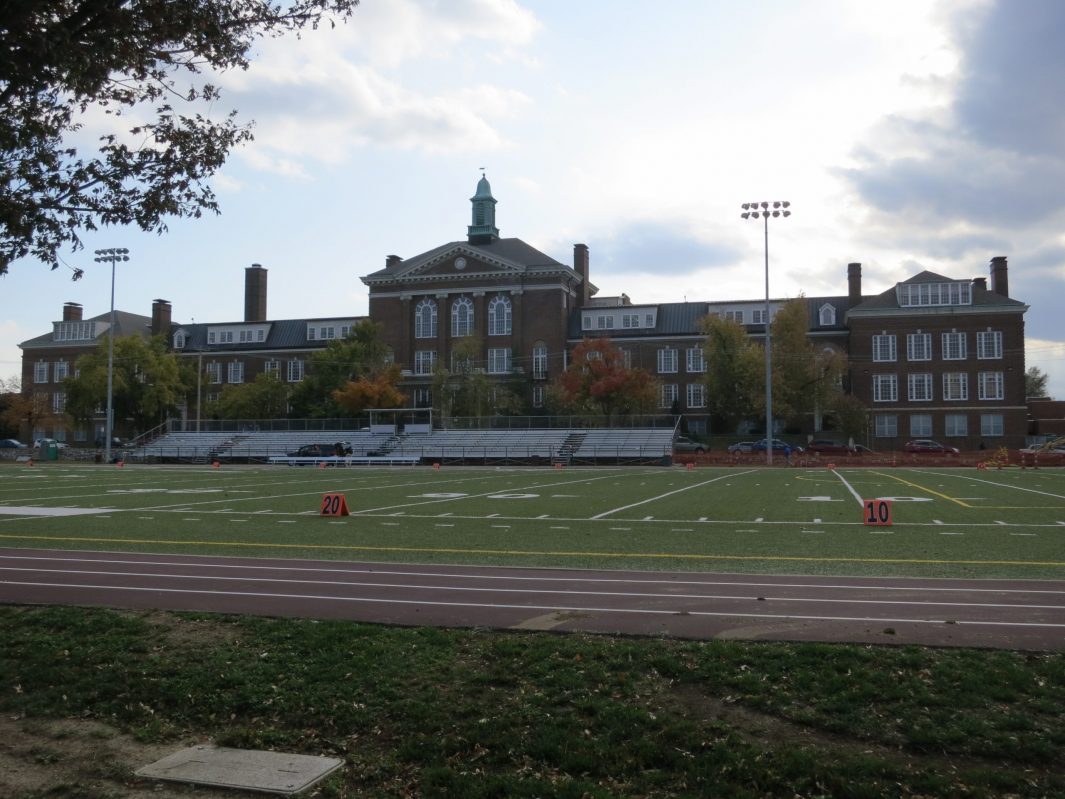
[(910, 136)]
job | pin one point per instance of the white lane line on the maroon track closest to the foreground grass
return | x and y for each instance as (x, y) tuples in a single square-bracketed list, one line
[(556, 609)]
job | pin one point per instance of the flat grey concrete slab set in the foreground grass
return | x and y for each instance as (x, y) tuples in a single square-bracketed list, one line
[(247, 770)]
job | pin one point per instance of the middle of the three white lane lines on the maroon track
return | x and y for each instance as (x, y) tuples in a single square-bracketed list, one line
[(504, 590)]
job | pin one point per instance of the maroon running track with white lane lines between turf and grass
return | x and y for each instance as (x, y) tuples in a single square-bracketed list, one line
[(1003, 614)]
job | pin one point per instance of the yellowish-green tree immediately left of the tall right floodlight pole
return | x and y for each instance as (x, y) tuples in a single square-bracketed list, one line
[(735, 372)]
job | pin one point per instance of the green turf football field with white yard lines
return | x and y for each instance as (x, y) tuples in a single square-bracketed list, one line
[(947, 523)]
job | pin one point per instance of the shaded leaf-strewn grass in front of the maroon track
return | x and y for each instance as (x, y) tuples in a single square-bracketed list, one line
[(460, 713)]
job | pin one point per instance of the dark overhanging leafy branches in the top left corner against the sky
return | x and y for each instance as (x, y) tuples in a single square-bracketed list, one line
[(136, 61)]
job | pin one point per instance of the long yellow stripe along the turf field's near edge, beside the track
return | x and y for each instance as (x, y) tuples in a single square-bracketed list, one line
[(455, 551)]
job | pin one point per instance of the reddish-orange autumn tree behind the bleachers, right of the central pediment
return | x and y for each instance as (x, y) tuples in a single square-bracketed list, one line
[(599, 382)]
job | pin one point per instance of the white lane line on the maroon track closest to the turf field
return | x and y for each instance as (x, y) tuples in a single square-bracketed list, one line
[(578, 577)]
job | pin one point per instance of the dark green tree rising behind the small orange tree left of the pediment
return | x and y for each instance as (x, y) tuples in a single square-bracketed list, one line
[(363, 354)]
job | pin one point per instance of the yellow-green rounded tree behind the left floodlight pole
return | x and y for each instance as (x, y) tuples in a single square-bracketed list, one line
[(149, 383)]
